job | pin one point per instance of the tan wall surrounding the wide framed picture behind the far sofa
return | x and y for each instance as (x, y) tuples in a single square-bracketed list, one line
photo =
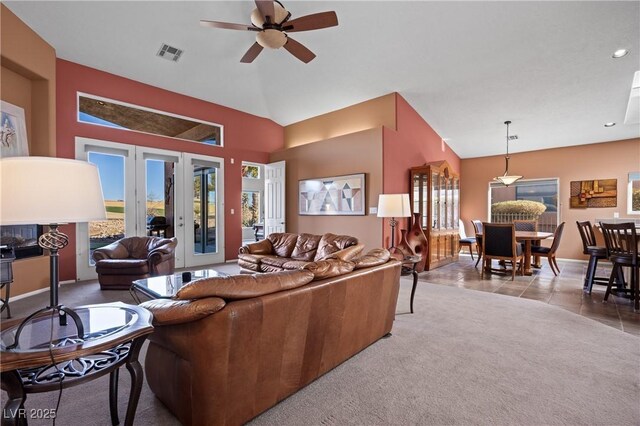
[(359, 152)]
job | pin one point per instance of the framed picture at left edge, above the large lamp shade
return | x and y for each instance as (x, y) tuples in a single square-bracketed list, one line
[(13, 131)]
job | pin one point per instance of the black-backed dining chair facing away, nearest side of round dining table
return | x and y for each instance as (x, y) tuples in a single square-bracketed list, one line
[(499, 242)]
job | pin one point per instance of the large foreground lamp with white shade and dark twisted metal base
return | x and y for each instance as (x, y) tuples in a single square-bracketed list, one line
[(50, 191)]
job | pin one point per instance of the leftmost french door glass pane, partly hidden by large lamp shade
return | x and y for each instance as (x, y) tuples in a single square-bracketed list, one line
[(111, 170)]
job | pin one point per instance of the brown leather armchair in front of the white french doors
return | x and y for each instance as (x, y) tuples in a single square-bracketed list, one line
[(129, 259)]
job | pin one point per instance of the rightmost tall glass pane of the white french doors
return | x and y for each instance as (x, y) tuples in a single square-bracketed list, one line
[(204, 209)]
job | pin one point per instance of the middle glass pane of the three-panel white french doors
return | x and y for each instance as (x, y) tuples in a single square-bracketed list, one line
[(160, 198)]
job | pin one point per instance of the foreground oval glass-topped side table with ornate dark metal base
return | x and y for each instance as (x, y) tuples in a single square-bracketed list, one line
[(114, 334)]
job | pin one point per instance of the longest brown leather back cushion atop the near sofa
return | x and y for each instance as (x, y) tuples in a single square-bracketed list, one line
[(235, 287)]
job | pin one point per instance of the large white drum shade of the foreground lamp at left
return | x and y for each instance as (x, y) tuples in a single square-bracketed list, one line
[(47, 190)]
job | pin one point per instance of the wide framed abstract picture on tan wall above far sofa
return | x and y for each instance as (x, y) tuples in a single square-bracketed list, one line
[(332, 196)]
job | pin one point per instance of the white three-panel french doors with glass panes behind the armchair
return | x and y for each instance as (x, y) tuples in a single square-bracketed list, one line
[(151, 191)]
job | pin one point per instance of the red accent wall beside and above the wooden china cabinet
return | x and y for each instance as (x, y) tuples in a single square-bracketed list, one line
[(413, 143)]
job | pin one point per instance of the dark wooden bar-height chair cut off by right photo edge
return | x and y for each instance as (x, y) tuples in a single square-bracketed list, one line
[(621, 242)]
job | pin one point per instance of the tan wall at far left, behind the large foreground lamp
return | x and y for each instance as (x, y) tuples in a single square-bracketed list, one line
[(27, 79)]
